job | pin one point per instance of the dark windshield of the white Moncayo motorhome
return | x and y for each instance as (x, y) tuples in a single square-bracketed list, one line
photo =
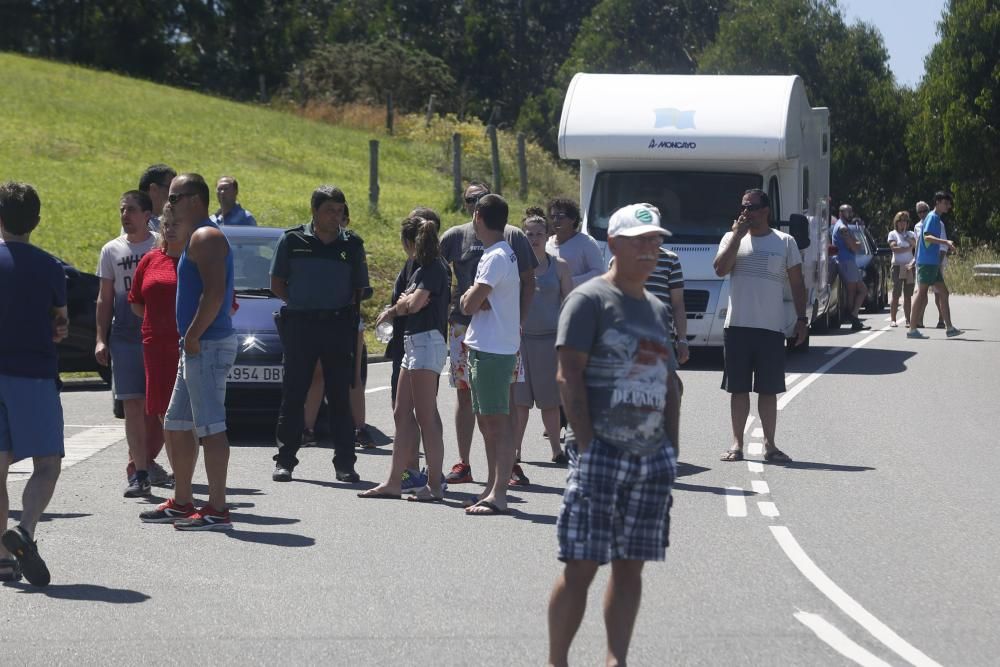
[(698, 207)]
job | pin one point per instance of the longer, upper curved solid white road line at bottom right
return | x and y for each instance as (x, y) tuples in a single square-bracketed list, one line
[(846, 603)]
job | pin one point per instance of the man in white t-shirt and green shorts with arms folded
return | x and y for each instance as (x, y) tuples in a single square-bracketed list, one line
[(493, 339)]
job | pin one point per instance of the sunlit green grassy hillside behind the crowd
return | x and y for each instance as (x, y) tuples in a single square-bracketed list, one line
[(83, 137)]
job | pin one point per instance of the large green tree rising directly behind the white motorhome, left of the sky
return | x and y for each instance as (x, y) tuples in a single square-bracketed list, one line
[(844, 68)]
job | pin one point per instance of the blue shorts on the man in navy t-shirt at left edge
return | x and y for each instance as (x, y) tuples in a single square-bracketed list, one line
[(30, 417)]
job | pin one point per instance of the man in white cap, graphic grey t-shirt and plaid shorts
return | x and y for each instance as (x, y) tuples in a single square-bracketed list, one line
[(616, 377)]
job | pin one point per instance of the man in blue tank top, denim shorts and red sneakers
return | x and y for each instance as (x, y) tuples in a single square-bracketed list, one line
[(208, 350)]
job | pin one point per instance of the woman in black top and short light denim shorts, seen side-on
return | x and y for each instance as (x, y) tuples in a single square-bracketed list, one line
[(424, 302)]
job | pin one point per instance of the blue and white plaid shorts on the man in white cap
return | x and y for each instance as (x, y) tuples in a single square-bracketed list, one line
[(616, 505)]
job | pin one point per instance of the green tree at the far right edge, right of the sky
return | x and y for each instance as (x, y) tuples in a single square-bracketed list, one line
[(954, 138)]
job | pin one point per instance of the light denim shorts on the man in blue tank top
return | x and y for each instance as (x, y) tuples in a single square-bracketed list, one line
[(199, 398)]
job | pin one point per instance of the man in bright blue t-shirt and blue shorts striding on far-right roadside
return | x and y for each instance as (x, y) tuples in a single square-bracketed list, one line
[(929, 255)]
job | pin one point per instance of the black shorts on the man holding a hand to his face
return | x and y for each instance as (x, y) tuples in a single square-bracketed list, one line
[(754, 360)]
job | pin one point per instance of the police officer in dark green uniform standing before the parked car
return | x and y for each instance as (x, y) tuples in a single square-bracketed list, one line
[(319, 271)]
